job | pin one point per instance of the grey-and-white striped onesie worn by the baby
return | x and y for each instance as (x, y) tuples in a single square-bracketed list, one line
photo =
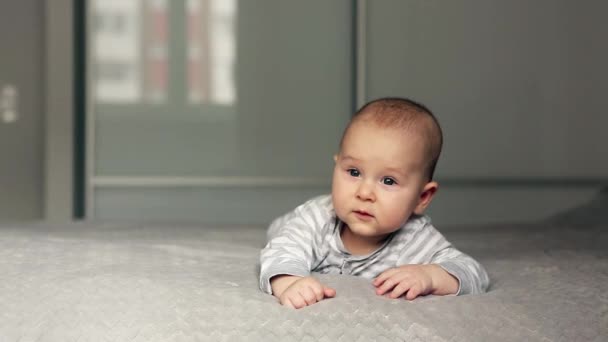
[(308, 240)]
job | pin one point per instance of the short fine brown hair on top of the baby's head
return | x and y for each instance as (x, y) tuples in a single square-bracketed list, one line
[(395, 112)]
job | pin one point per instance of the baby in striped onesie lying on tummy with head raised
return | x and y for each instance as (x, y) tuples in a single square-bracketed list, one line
[(373, 223)]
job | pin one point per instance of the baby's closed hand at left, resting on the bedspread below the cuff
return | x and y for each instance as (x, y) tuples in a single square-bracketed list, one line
[(298, 292)]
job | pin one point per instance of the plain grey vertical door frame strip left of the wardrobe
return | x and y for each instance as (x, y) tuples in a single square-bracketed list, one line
[(59, 110)]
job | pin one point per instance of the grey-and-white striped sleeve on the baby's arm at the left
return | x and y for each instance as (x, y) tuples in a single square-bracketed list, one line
[(290, 246)]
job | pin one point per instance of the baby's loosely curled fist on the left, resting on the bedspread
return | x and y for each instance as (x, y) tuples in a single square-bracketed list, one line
[(305, 291)]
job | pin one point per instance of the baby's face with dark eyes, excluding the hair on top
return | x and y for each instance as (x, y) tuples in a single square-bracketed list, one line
[(378, 179)]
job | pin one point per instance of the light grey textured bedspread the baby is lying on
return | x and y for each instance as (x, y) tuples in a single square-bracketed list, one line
[(153, 282)]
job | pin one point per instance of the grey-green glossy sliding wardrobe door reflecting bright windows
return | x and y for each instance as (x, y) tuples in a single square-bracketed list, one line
[(219, 111)]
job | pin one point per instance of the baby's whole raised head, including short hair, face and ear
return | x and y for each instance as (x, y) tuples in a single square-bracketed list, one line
[(384, 170)]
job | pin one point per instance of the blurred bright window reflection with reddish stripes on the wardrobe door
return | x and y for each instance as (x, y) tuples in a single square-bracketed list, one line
[(131, 61)]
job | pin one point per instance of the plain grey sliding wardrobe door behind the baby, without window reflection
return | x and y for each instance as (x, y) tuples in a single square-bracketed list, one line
[(519, 88)]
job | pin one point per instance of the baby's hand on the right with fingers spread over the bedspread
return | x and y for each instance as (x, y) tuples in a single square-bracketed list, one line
[(414, 281)]
